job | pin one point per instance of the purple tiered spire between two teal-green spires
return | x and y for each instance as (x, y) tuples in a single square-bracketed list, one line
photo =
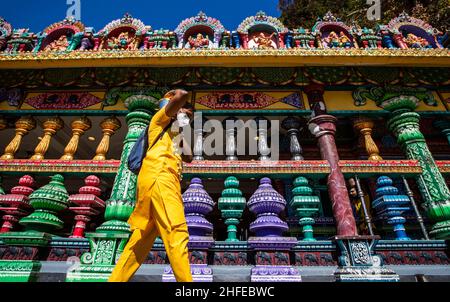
[(267, 203)]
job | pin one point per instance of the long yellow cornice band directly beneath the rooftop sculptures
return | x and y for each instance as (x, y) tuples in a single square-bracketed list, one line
[(230, 58)]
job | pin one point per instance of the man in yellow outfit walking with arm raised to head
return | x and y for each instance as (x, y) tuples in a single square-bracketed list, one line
[(159, 208)]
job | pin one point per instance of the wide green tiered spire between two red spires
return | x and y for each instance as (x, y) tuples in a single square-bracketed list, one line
[(47, 201)]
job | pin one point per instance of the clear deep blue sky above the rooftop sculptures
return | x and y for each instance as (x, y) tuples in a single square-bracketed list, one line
[(38, 14)]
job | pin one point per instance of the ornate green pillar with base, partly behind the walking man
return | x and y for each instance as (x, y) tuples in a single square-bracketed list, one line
[(109, 239)]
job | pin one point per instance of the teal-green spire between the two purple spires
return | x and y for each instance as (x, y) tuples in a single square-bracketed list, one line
[(231, 204)]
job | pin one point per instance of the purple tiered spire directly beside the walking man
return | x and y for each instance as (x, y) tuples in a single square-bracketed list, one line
[(197, 203)]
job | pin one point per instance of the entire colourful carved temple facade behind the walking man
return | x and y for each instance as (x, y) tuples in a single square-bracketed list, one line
[(359, 118)]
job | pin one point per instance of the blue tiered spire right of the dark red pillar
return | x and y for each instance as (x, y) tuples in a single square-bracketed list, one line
[(390, 204)]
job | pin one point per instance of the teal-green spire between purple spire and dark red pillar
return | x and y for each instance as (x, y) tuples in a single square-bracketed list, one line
[(306, 206)]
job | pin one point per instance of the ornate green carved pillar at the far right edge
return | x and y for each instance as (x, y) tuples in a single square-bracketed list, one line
[(404, 123)]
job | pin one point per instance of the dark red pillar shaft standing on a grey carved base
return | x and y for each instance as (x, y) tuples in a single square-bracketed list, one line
[(323, 127)]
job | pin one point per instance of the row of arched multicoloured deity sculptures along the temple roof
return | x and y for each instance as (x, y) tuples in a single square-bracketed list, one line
[(203, 33)]
